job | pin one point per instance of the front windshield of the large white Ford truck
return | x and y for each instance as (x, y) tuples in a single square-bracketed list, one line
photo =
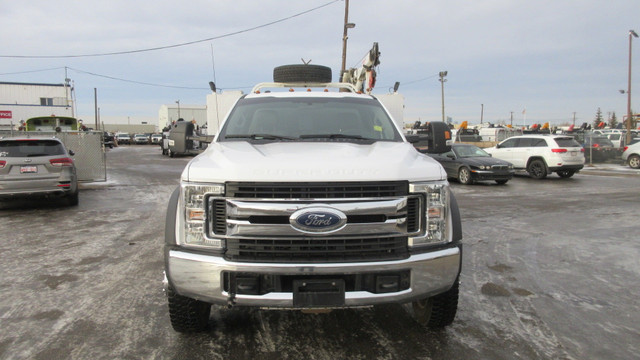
[(309, 119)]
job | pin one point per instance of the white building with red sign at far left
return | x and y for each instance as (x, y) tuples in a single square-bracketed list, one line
[(21, 101)]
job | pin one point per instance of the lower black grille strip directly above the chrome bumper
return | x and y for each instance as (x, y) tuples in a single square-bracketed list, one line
[(316, 250)]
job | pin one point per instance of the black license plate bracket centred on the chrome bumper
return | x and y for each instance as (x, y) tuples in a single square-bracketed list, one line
[(318, 293)]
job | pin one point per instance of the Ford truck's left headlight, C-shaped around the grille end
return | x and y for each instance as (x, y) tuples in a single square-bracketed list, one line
[(192, 206)]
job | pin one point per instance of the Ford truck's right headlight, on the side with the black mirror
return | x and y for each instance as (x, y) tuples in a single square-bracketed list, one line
[(436, 213)]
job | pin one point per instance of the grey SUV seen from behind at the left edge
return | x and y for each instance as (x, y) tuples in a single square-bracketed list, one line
[(37, 166)]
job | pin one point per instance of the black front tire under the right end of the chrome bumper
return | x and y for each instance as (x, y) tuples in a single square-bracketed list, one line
[(437, 311)]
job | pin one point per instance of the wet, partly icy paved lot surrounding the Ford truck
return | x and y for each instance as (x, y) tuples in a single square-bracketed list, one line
[(549, 271)]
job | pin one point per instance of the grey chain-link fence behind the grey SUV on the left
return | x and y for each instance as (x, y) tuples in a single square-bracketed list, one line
[(90, 157)]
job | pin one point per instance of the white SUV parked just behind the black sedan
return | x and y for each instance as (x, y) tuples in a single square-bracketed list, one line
[(540, 155)]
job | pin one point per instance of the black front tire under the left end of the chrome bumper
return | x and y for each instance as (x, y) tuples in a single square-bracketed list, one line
[(187, 314)]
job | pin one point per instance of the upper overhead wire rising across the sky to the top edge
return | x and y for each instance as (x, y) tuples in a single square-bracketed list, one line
[(169, 46)]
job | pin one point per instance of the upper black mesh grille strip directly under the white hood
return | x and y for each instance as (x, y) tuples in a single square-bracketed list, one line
[(317, 190)]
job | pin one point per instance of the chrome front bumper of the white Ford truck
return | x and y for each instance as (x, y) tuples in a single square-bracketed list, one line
[(200, 277)]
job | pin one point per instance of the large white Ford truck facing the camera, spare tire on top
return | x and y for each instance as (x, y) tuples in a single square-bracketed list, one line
[(312, 199)]
